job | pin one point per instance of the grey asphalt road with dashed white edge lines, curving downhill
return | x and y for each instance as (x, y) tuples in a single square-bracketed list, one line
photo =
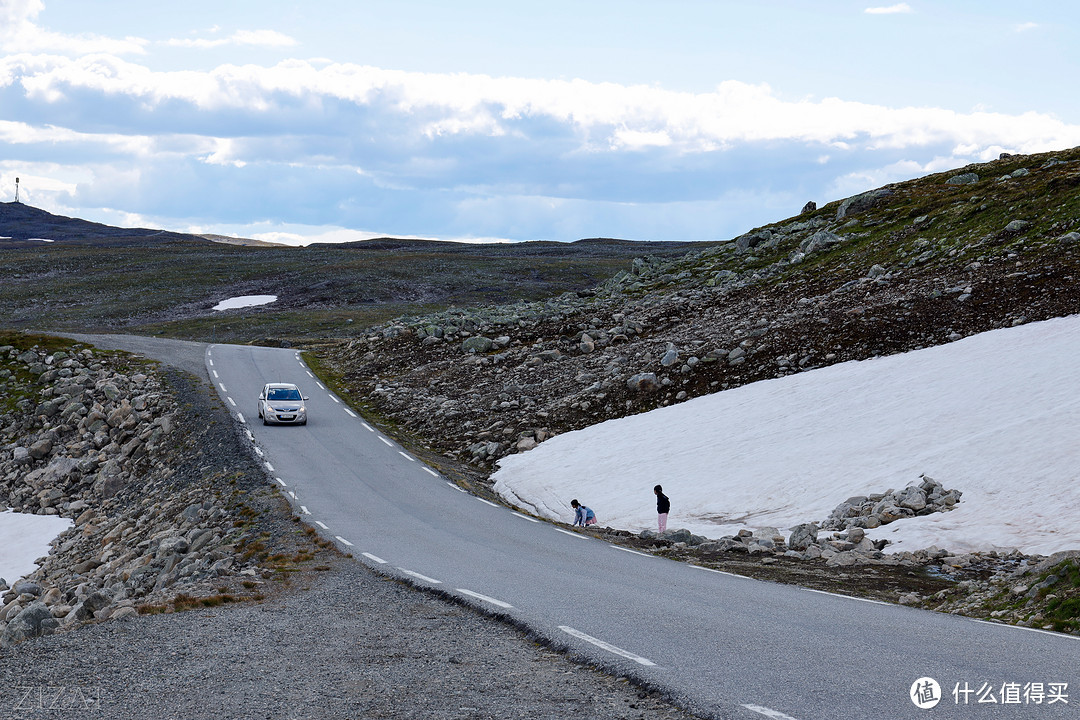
[(727, 646)]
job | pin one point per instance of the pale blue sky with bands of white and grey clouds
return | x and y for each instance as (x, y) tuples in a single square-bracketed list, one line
[(691, 120)]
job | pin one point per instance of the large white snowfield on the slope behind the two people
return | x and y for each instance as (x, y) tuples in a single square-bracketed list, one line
[(985, 415)]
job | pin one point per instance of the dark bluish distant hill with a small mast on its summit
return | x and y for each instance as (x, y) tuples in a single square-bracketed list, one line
[(23, 225)]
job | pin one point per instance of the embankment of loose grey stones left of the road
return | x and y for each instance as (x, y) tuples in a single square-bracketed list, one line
[(104, 441)]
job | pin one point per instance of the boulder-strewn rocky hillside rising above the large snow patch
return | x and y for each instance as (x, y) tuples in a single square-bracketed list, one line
[(904, 267)]
